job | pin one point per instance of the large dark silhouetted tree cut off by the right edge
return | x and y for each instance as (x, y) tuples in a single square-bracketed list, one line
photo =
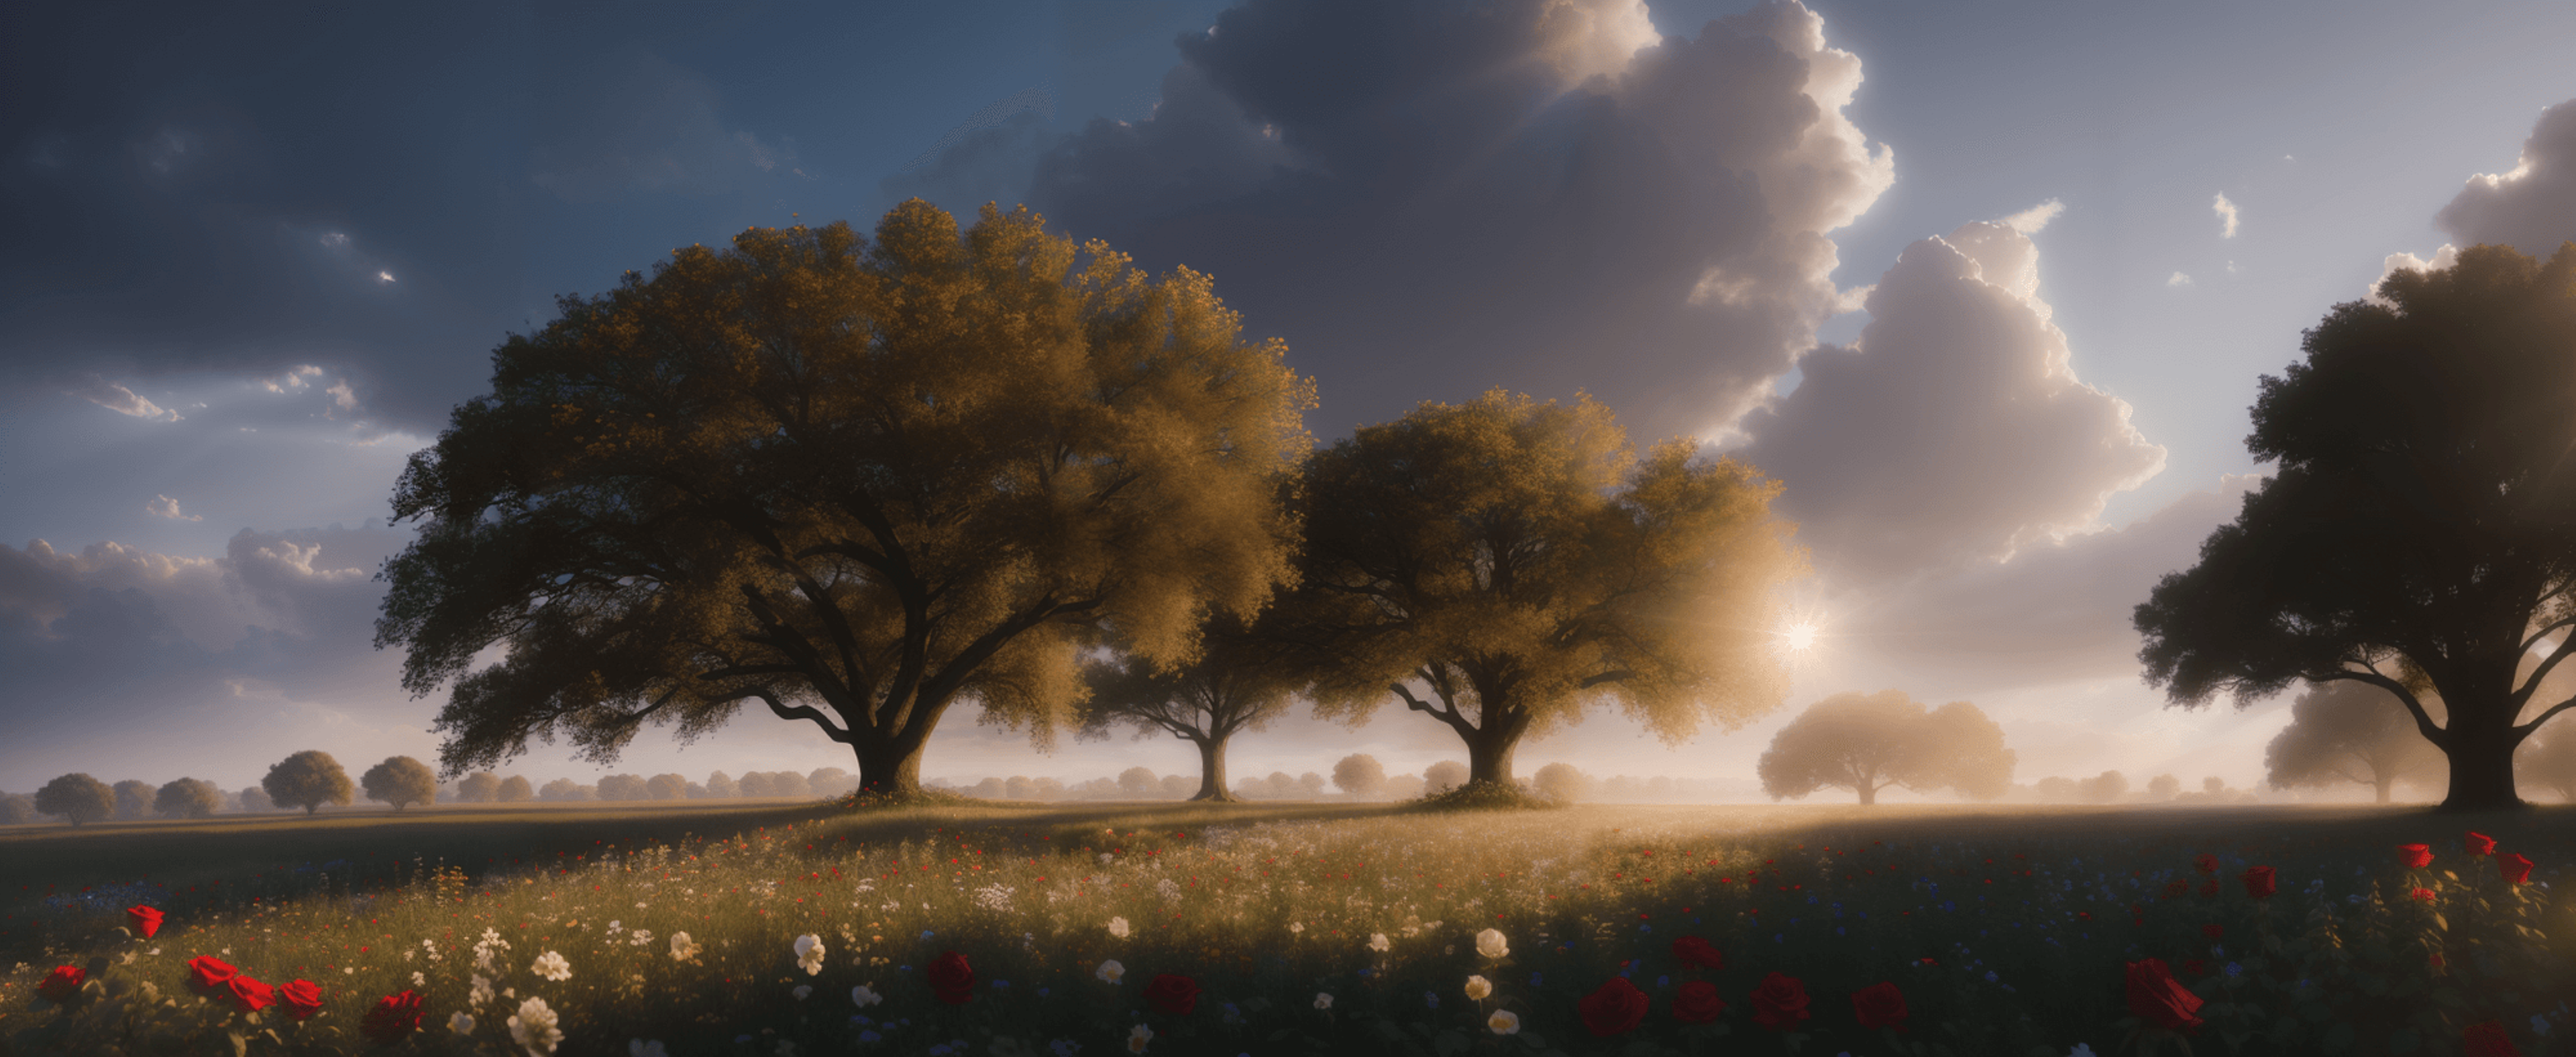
[(2420, 527)]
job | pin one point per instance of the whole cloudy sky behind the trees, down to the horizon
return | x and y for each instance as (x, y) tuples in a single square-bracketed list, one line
[(1987, 287)]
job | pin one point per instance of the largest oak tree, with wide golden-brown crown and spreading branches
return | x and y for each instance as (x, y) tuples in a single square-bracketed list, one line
[(851, 483)]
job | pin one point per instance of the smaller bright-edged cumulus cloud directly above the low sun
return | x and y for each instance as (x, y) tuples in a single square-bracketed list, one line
[(1954, 429)]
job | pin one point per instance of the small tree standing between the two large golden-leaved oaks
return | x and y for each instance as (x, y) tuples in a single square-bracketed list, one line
[(1240, 682)]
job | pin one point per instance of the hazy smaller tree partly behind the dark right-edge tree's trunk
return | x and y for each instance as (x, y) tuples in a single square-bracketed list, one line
[(2351, 731)]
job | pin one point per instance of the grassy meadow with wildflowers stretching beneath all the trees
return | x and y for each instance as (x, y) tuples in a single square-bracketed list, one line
[(1312, 929)]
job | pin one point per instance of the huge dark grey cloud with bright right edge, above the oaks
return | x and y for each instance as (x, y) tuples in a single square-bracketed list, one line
[(1436, 200)]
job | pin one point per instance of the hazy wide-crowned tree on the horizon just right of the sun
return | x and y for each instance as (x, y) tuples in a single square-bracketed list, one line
[(1874, 741)]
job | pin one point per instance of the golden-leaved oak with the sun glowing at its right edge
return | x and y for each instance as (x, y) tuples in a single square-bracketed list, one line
[(1506, 563)]
